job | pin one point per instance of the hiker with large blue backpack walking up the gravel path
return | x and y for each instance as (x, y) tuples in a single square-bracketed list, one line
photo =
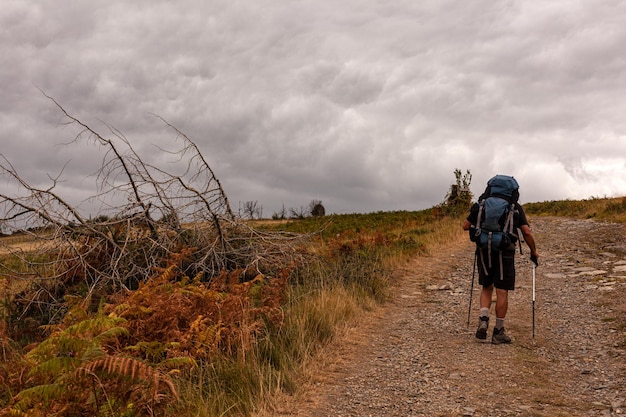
[(493, 223)]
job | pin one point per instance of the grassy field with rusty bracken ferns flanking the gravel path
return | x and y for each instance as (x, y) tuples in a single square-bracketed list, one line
[(181, 344)]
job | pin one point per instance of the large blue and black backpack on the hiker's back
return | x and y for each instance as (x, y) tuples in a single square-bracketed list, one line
[(495, 229)]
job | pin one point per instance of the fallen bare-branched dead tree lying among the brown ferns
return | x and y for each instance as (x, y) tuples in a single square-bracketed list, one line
[(151, 213)]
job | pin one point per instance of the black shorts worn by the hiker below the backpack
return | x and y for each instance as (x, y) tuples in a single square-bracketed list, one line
[(488, 276)]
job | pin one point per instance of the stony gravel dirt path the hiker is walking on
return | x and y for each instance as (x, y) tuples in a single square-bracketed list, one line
[(418, 357)]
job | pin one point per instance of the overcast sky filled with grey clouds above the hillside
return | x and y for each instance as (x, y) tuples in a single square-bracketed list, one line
[(365, 105)]
